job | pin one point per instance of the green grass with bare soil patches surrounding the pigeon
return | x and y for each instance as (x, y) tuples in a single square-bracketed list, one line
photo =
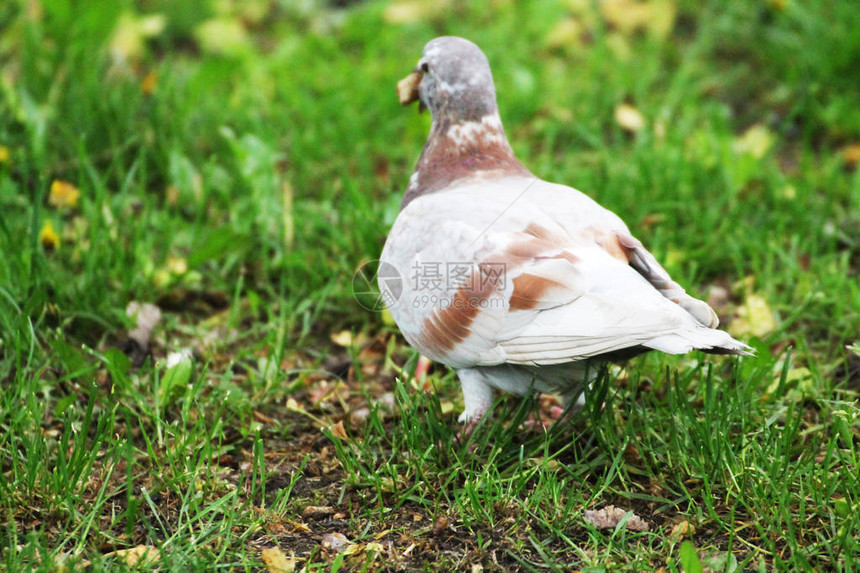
[(238, 178)]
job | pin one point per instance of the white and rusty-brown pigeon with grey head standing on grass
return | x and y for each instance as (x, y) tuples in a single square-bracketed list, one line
[(517, 283)]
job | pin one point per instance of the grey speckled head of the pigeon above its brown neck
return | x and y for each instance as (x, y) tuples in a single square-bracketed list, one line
[(457, 84)]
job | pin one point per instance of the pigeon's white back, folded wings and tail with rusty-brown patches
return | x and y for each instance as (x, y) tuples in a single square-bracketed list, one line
[(574, 282)]
